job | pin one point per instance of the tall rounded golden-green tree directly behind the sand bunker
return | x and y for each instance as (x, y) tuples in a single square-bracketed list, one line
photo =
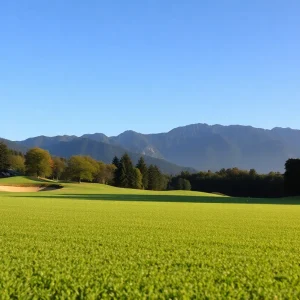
[(38, 162)]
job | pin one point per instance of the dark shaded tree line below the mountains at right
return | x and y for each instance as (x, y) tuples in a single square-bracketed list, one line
[(243, 183)]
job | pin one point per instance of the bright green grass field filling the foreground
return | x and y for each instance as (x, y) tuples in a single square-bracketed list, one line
[(88, 241)]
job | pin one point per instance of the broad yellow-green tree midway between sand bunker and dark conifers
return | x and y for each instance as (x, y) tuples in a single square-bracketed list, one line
[(81, 168)]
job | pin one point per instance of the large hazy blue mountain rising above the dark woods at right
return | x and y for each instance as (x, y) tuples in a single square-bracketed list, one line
[(214, 147)]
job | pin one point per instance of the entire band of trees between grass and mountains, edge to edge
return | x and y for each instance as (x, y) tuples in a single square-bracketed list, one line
[(122, 173)]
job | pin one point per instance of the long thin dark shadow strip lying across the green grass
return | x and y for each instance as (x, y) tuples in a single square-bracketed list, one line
[(167, 198)]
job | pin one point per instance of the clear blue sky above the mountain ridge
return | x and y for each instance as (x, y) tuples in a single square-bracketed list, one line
[(75, 67)]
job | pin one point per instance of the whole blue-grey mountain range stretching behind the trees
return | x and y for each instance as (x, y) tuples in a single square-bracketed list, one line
[(197, 146)]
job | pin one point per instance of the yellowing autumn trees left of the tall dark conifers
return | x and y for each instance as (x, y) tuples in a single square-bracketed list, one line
[(39, 163)]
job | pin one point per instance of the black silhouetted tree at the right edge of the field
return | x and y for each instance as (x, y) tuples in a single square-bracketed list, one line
[(292, 177)]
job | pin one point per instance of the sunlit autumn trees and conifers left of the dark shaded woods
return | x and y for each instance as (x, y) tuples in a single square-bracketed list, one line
[(121, 172)]
